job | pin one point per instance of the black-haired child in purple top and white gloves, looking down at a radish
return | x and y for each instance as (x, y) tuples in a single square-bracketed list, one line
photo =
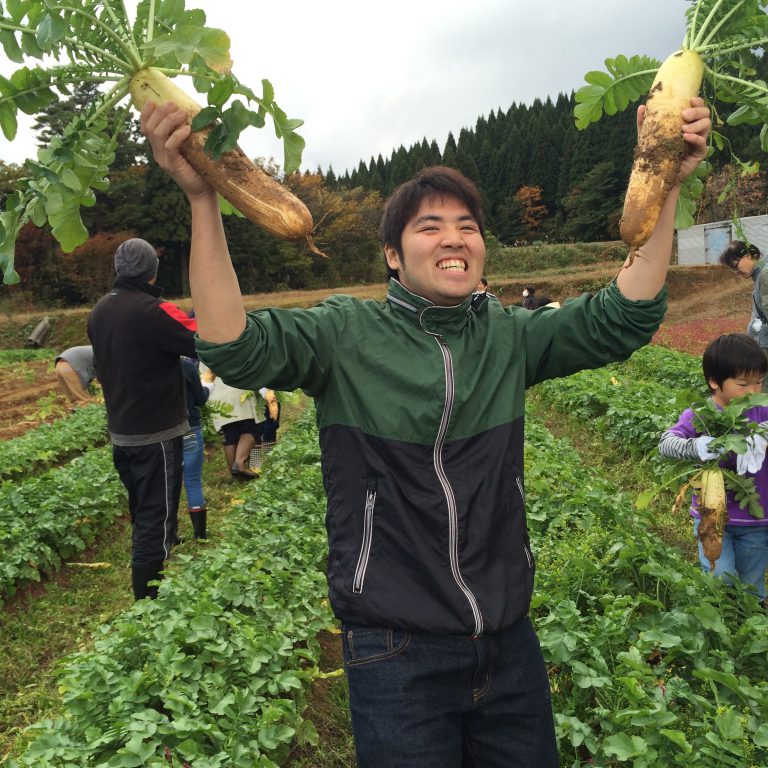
[(734, 366)]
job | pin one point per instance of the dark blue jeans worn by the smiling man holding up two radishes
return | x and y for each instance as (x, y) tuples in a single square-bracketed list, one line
[(427, 701)]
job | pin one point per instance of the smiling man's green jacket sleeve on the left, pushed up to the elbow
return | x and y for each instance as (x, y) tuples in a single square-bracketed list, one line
[(283, 349)]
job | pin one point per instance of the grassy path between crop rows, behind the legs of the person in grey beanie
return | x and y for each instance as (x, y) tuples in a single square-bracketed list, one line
[(45, 622)]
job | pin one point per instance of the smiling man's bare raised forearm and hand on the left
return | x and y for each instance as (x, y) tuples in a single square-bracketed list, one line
[(216, 293)]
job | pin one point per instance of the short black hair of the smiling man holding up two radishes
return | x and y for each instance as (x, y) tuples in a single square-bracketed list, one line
[(403, 204)]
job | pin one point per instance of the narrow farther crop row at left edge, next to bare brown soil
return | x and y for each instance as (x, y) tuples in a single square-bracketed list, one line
[(52, 443)]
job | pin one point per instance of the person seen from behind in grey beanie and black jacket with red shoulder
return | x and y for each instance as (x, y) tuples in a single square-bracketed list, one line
[(138, 340)]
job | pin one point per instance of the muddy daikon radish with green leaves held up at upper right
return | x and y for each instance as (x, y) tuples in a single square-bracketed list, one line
[(723, 43)]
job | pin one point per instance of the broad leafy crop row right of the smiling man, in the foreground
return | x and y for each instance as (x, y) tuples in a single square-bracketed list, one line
[(652, 662)]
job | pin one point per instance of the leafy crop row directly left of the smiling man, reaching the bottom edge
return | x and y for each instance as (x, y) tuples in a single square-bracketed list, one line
[(214, 672)]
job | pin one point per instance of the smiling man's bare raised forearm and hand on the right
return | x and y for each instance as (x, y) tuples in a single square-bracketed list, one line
[(645, 277)]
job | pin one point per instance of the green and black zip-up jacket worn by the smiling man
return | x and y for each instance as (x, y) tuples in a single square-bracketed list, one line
[(421, 412)]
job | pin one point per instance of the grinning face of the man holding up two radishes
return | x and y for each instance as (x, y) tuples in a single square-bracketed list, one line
[(443, 252)]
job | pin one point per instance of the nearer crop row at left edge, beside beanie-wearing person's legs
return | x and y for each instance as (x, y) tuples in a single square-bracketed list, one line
[(54, 515)]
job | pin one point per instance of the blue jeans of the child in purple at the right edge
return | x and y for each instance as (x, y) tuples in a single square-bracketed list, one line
[(745, 554)]
